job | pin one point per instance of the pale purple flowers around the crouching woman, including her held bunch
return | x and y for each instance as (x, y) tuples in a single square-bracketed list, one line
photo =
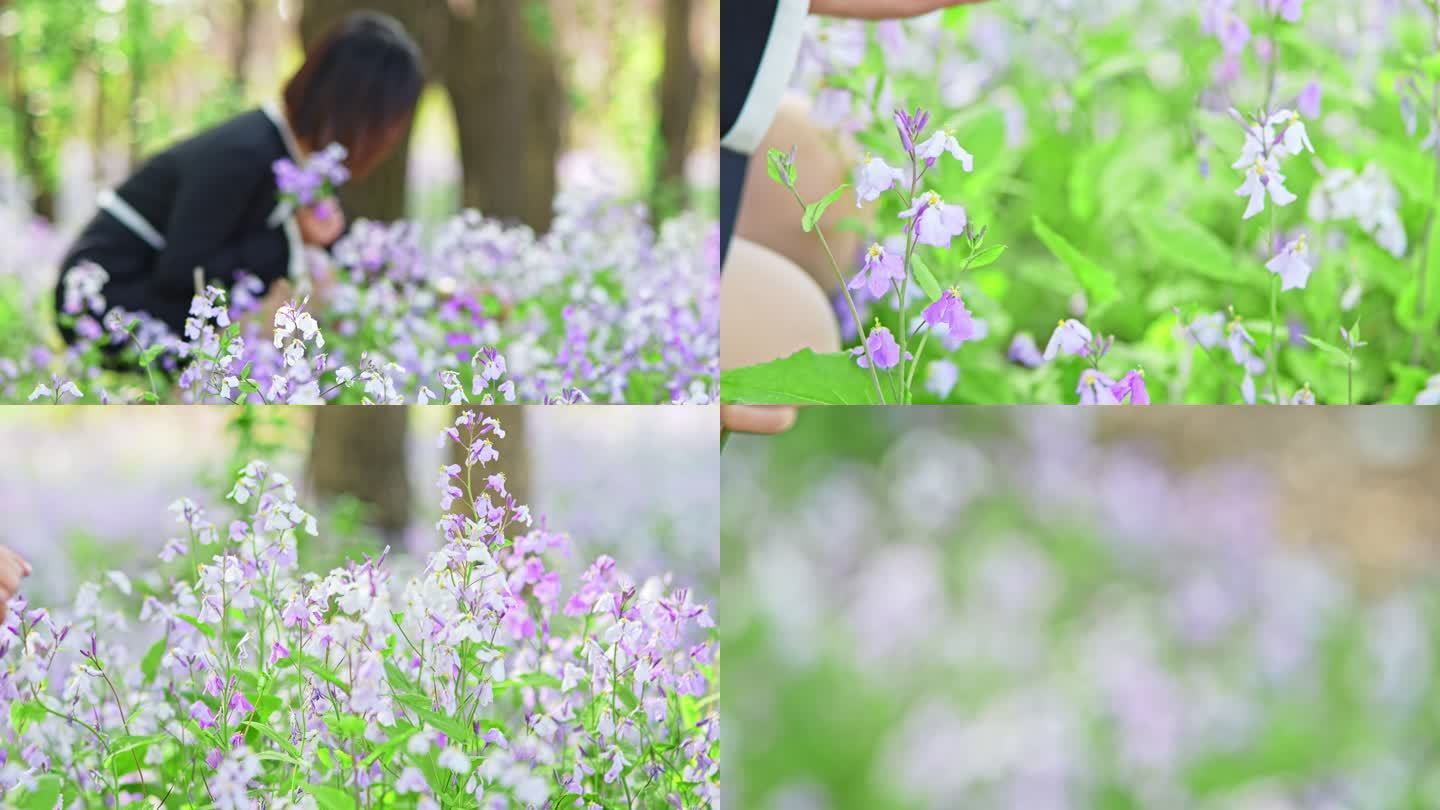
[(601, 309)]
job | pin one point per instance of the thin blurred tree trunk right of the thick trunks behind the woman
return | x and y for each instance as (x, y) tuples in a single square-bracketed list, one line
[(679, 94)]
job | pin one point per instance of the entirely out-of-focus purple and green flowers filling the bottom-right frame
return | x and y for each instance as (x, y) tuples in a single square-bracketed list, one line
[(1045, 609)]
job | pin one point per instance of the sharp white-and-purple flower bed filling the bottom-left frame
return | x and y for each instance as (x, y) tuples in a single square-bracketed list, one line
[(228, 678)]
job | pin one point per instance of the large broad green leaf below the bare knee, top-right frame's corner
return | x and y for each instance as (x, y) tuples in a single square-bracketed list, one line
[(804, 378)]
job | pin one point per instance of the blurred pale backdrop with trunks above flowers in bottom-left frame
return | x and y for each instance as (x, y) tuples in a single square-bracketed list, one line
[(87, 489)]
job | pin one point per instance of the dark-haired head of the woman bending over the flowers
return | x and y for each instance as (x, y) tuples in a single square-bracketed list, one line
[(359, 89)]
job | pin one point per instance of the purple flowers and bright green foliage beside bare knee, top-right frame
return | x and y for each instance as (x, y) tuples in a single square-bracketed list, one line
[(1130, 201)]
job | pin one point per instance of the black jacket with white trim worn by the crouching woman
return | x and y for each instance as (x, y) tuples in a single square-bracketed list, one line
[(212, 200)]
